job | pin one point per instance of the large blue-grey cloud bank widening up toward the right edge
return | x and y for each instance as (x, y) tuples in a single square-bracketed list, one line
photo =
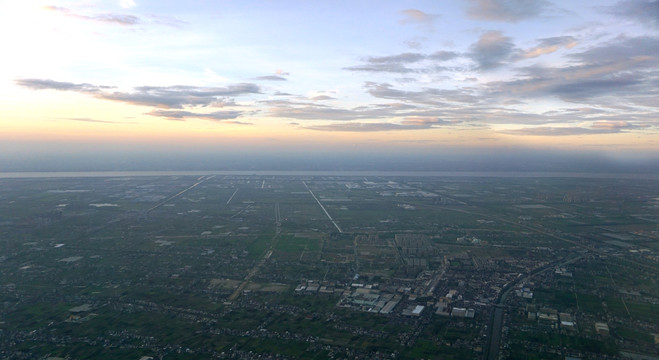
[(625, 67)]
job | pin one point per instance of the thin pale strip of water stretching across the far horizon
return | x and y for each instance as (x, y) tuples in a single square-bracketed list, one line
[(340, 173)]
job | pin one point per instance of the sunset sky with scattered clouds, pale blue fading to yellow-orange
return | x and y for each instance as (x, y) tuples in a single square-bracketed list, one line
[(142, 81)]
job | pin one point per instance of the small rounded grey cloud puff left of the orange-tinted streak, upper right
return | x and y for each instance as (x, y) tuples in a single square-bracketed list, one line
[(491, 50)]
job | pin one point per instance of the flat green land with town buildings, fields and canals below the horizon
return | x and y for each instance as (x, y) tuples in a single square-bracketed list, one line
[(329, 267)]
